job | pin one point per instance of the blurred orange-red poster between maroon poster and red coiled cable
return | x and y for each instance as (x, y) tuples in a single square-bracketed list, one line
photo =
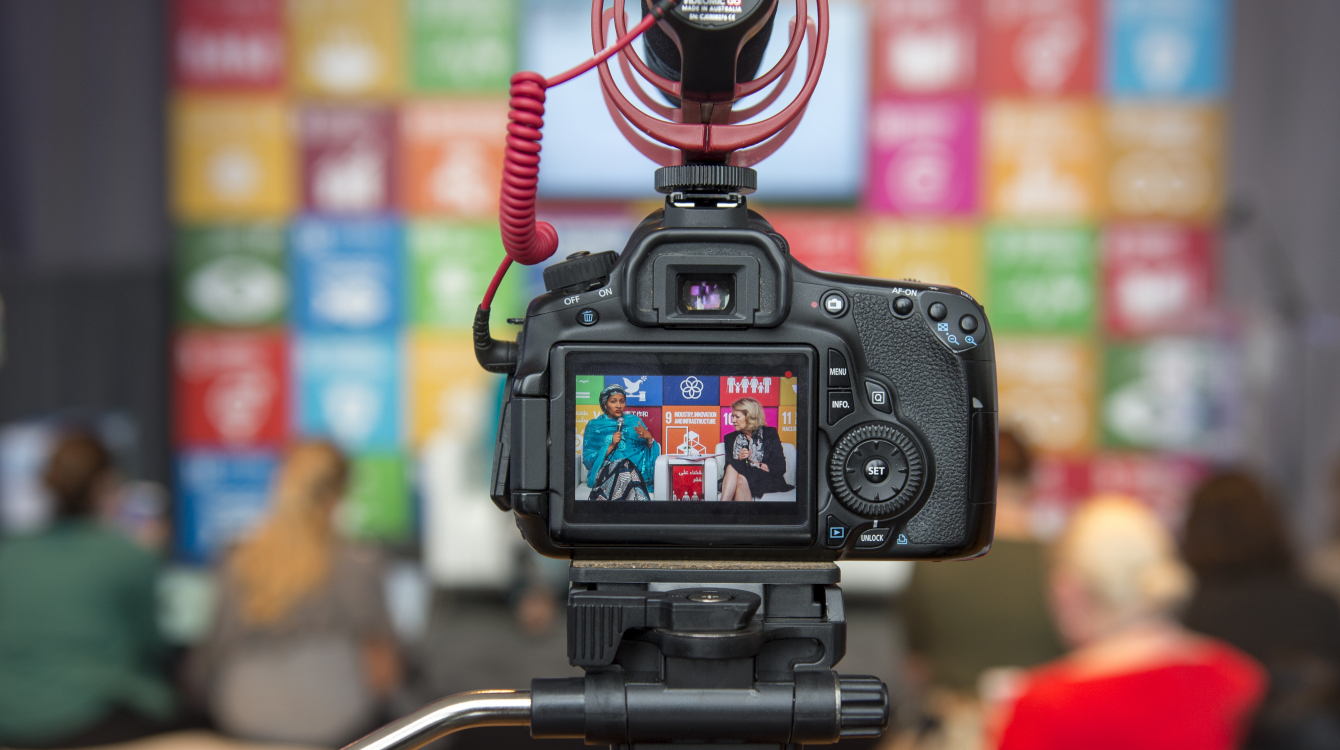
[(452, 156)]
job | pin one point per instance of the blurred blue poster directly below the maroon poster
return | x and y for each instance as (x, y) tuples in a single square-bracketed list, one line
[(348, 275)]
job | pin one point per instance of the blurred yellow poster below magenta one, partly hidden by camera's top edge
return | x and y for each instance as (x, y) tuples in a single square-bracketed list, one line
[(935, 254)]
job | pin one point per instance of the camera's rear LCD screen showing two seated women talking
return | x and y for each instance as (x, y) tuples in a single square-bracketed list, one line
[(689, 439)]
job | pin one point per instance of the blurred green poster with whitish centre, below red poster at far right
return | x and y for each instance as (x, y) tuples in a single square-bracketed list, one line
[(1166, 394)]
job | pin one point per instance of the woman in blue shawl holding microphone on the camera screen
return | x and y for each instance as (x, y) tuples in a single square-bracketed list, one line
[(618, 451)]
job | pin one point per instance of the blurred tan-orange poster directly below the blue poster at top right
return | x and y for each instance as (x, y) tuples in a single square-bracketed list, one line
[(1165, 161)]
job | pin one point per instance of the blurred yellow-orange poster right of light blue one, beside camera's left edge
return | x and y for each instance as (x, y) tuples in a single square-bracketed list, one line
[(447, 388)]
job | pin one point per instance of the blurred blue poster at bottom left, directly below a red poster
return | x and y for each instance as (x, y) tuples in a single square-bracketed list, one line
[(220, 496)]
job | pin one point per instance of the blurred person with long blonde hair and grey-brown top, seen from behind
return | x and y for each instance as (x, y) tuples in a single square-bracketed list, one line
[(302, 649)]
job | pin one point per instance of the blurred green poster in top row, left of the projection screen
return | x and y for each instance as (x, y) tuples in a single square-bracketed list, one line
[(462, 45)]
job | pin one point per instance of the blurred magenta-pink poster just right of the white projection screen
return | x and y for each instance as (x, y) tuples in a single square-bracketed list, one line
[(924, 157)]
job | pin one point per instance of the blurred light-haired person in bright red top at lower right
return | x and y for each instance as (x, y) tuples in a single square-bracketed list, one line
[(1137, 678)]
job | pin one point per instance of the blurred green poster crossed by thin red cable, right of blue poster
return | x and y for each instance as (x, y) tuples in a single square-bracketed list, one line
[(451, 267)]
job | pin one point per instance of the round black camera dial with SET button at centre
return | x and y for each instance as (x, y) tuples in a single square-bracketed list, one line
[(877, 471)]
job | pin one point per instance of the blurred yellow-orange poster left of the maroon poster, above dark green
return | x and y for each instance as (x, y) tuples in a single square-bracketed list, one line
[(232, 159)]
